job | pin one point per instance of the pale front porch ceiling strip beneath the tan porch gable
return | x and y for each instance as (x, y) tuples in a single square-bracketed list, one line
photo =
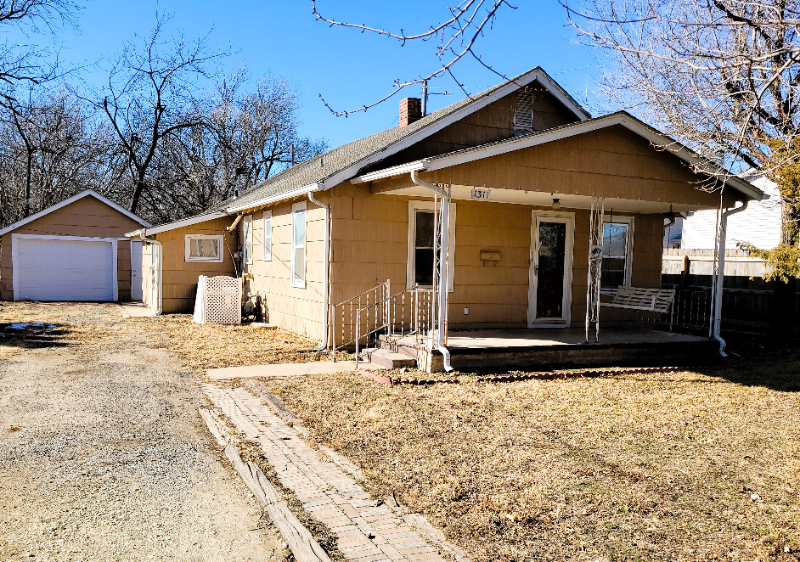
[(545, 199)]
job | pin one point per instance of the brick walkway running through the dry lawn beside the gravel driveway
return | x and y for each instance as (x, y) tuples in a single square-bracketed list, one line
[(366, 532)]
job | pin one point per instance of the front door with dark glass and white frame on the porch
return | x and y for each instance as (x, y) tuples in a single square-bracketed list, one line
[(550, 294)]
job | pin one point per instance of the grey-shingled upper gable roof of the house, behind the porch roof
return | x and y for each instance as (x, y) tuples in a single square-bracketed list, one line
[(344, 162)]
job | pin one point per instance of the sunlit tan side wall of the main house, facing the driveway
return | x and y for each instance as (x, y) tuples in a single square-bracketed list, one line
[(296, 309)]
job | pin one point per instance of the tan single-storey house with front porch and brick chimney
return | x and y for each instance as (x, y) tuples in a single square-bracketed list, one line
[(516, 183)]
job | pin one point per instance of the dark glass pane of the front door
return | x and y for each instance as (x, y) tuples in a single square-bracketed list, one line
[(550, 286)]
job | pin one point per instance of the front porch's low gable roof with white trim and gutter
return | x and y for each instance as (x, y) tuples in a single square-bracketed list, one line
[(622, 118)]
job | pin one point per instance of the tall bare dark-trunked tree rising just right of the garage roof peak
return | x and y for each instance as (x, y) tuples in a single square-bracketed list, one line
[(151, 95)]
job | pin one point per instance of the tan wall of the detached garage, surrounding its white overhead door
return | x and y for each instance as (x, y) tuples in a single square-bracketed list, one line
[(86, 217)]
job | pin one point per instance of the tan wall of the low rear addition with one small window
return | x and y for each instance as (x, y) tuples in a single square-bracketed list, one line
[(179, 281)]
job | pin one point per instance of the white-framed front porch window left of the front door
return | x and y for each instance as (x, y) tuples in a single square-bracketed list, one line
[(420, 244)]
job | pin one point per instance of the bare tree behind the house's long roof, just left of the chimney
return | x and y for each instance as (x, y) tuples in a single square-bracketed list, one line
[(244, 138)]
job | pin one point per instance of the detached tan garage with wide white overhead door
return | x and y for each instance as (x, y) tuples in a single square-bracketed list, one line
[(73, 251)]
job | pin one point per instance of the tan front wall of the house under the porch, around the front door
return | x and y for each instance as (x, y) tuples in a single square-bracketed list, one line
[(370, 245)]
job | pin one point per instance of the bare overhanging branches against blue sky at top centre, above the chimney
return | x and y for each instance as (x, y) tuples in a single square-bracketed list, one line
[(454, 38)]
